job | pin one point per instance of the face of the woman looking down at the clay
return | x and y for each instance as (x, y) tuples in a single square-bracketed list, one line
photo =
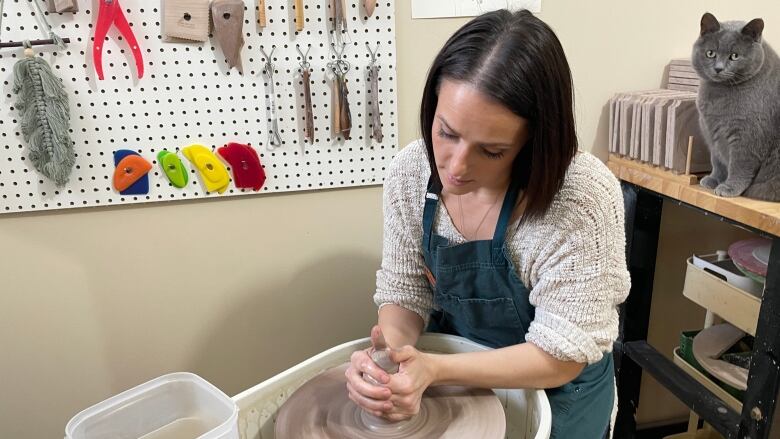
[(475, 140)]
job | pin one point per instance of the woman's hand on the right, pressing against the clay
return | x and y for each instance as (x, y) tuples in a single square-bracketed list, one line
[(416, 372)]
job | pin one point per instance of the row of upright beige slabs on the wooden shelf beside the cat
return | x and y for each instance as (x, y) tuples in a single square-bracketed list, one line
[(655, 127)]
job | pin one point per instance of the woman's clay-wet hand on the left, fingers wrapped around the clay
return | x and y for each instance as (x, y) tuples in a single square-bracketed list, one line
[(375, 398)]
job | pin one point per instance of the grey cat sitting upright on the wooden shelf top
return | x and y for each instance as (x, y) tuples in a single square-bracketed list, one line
[(739, 108)]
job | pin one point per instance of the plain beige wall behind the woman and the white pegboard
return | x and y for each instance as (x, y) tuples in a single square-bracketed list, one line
[(97, 300)]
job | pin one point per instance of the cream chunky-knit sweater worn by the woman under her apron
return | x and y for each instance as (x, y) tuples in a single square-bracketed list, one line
[(572, 259)]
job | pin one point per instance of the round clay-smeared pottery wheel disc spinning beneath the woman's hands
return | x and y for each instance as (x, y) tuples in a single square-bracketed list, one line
[(321, 409)]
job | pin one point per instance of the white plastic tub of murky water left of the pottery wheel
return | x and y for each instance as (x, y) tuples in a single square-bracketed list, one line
[(173, 406)]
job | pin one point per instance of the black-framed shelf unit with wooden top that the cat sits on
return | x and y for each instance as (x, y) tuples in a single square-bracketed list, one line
[(759, 406)]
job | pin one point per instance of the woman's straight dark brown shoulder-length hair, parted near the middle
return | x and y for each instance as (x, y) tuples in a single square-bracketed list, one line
[(516, 60)]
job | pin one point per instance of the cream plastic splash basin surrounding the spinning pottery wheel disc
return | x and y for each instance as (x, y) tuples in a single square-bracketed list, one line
[(528, 413)]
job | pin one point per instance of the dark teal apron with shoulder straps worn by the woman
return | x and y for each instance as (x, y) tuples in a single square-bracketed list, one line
[(481, 297)]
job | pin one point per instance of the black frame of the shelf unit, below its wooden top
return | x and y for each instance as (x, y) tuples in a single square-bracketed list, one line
[(634, 354)]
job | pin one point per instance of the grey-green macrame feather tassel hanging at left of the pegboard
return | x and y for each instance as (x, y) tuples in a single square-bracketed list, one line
[(44, 118)]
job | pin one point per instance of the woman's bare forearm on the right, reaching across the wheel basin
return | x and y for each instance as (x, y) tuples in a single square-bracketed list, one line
[(520, 366)]
